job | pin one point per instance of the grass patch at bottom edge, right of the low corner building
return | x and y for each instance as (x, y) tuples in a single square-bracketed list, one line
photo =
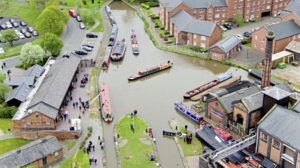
[(79, 159)]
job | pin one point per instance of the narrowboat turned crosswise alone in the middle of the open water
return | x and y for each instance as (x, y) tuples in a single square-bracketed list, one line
[(151, 70)]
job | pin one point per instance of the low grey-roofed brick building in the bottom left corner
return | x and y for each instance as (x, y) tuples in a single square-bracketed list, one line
[(38, 154)]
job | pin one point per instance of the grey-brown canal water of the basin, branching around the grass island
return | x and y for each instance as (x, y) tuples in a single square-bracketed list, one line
[(153, 96)]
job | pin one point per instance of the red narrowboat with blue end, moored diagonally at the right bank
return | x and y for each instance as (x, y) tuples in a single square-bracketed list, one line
[(221, 78)]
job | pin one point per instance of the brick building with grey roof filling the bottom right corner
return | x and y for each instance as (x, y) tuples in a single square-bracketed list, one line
[(278, 136)]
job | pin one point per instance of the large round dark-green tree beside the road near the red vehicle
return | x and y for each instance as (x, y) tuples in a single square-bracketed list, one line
[(49, 21)]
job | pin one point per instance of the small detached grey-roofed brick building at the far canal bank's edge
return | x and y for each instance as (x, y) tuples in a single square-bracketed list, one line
[(225, 48)]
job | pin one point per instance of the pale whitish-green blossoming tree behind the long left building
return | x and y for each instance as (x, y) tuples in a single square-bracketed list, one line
[(32, 54)]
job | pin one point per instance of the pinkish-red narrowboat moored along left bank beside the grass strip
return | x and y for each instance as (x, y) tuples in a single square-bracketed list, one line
[(106, 111)]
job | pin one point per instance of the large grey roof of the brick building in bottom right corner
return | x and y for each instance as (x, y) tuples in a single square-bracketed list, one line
[(282, 124)]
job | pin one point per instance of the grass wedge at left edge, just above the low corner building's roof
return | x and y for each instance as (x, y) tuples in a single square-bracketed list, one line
[(11, 144)]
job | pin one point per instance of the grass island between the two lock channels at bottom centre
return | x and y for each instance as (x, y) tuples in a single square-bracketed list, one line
[(134, 154)]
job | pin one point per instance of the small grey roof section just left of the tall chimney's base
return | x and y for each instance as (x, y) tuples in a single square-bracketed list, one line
[(253, 102)]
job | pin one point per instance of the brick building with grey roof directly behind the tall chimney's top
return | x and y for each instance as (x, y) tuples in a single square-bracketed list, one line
[(284, 32)]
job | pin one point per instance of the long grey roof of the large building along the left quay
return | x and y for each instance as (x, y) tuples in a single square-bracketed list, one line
[(54, 87)]
